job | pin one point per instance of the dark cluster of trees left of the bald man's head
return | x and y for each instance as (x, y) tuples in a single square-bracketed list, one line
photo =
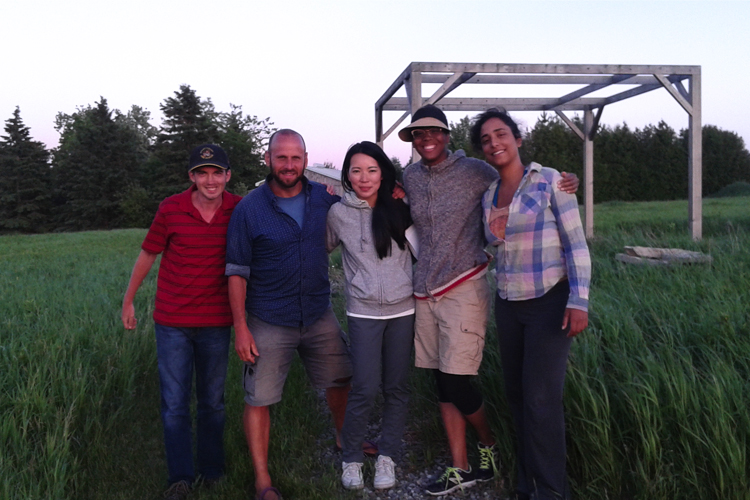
[(112, 169)]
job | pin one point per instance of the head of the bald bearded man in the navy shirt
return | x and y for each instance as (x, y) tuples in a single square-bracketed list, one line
[(287, 160)]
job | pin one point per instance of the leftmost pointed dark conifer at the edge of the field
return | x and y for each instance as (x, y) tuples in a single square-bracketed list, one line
[(24, 179)]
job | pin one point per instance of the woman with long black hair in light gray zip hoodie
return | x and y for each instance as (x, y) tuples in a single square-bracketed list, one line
[(370, 225)]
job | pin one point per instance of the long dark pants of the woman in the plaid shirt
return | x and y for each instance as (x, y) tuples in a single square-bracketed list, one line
[(534, 351)]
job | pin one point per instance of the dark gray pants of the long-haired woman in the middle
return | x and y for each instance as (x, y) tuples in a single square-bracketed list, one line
[(380, 351)]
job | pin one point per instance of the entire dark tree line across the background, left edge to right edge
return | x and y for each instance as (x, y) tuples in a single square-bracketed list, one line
[(111, 169)]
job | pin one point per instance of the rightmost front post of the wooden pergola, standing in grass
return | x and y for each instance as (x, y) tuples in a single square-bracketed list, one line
[(695, 158)]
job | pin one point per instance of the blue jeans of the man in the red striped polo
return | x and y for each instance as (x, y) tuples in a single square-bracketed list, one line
[(178, 351)]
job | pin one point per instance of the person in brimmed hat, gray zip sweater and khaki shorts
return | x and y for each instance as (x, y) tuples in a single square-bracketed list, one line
[(445, 189)]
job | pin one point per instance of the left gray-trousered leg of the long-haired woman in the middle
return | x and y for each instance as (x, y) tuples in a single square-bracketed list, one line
[(365, 344)]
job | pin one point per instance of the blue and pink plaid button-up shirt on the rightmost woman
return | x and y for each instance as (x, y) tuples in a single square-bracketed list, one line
[(544, 241)]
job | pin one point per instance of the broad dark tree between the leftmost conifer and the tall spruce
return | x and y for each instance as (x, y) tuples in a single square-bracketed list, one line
[(97, 159)]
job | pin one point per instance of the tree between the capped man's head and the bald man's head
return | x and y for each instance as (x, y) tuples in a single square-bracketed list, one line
[(244, 138)]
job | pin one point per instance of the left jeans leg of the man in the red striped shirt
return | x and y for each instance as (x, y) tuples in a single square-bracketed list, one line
[(174, 351)]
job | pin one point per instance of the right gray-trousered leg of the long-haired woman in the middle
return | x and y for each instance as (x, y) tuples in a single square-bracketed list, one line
[(397, 345)]
